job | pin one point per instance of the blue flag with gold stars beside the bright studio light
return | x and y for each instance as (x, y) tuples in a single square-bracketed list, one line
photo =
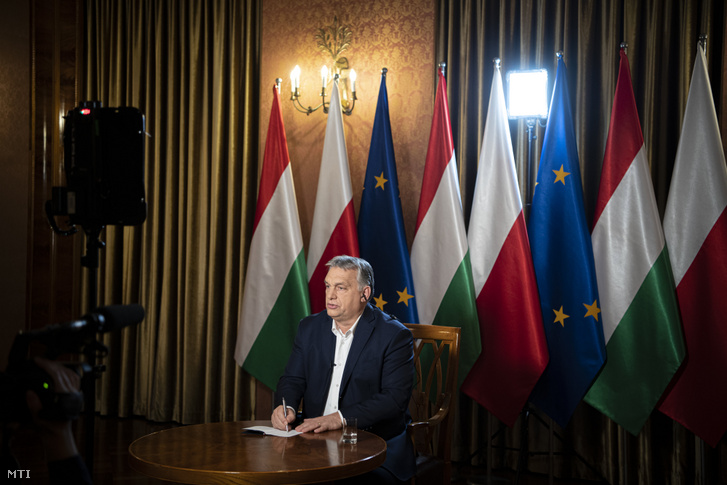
[(564, 267)]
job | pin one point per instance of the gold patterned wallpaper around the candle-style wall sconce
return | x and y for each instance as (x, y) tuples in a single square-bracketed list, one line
[(396, 34)]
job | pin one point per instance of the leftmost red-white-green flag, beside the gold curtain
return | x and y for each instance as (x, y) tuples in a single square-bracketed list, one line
[(276, 291)]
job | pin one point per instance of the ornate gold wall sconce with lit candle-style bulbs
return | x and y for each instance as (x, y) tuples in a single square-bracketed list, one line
[(333, 40)]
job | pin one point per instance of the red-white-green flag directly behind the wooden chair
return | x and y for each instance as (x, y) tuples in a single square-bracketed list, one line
[(439, 256)]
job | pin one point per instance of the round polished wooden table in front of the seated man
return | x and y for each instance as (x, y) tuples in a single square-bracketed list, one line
[(220, 453)]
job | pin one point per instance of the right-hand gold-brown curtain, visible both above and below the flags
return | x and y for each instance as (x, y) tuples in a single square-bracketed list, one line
[(662, 40)]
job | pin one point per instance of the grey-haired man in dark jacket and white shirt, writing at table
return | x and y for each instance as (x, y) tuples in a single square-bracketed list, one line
[(355, 361)]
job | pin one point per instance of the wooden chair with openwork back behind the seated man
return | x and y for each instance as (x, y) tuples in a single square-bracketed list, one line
[(433, 400)]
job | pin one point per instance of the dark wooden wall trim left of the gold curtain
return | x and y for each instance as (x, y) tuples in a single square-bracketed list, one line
[(54, 274)]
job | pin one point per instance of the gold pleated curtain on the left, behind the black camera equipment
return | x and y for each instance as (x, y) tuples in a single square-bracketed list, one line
[(190, 66)]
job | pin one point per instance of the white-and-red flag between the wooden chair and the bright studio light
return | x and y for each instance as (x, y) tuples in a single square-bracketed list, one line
[(514, 350)]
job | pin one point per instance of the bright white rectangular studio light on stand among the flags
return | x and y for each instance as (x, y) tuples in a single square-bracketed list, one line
[(527, 98)]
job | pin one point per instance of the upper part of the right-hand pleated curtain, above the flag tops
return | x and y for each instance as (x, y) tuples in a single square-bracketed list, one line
[(662, 38)]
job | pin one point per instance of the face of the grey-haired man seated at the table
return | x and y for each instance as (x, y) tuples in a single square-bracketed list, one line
[(344, 301)]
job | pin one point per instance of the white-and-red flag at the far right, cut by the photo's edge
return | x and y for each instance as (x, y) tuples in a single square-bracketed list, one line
[(695, 225)]
